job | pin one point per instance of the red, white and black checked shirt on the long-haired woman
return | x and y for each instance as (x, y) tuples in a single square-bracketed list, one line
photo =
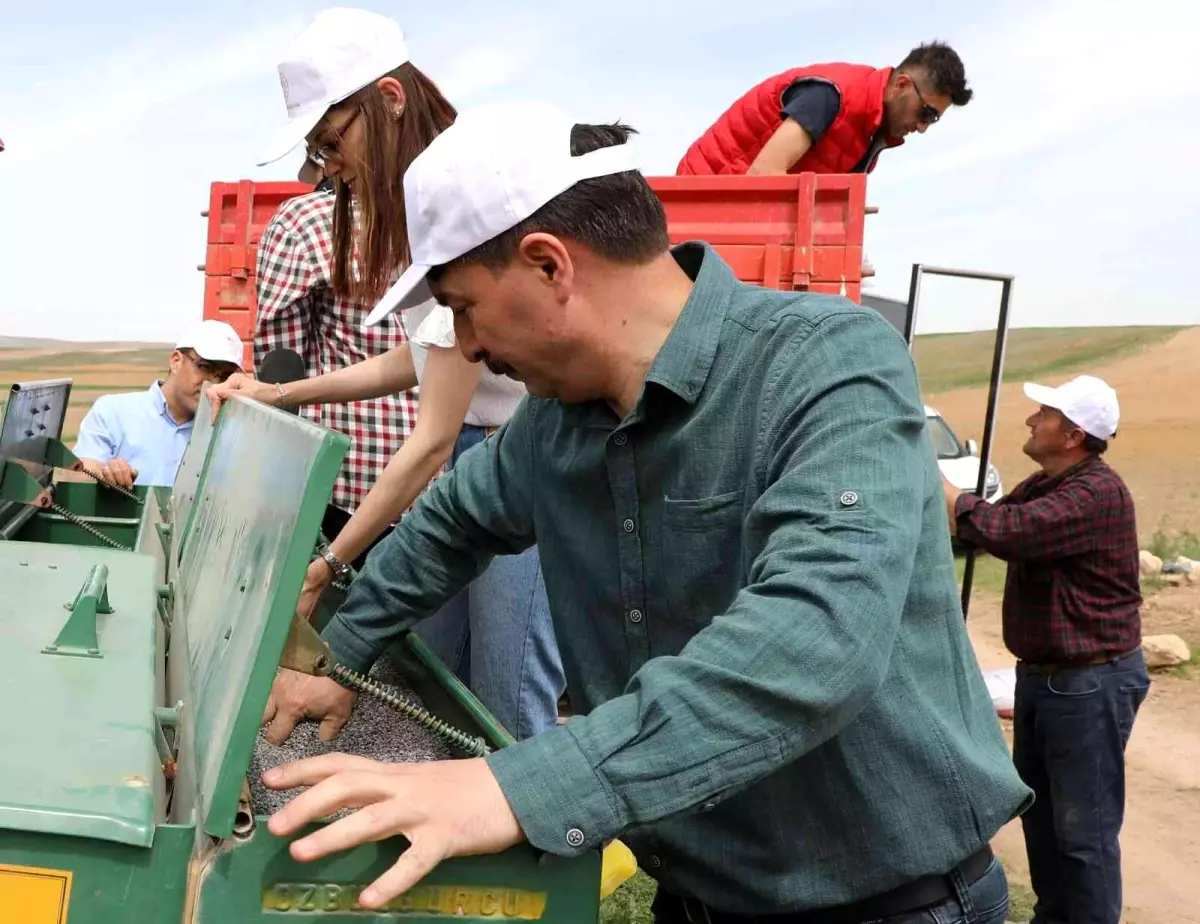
[(298, 310)]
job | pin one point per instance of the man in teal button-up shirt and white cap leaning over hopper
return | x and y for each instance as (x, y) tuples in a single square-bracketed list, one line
[(746, 553)]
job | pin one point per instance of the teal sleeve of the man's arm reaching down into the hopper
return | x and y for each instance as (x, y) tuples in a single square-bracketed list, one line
[(482, 508)]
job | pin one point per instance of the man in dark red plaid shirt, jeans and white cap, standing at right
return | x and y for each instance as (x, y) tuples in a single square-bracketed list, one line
[(1072, 617)]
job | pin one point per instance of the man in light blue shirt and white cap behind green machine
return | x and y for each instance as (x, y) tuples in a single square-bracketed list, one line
[(139, 439)]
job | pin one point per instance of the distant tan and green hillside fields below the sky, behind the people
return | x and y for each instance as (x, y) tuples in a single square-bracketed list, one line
[(1155, 370)]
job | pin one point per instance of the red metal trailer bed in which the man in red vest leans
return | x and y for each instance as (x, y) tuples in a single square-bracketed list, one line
[(802, 232)]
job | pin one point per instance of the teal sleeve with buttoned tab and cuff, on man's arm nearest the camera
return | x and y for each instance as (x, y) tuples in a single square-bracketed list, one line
[(847, 470)]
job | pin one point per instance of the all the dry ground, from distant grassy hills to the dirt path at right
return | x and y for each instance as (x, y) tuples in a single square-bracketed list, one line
[(1157, 375)]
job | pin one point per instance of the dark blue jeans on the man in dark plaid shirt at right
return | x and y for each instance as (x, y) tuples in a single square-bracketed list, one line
[(1070, 735)]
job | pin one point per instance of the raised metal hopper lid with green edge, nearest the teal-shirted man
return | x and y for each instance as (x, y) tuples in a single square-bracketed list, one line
[(262, 494)]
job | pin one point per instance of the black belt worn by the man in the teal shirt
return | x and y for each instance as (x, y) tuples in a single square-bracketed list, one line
[(911, 897)]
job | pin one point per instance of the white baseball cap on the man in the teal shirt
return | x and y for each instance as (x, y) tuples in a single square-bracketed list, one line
[(489, 172)]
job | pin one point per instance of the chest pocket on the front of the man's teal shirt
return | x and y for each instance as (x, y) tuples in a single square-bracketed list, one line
[(701, 561)]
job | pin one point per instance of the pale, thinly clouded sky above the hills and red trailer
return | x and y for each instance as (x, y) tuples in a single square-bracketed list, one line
[(1073, 169)]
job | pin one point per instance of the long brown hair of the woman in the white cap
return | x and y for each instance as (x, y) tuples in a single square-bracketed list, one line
[(392, 145)]
